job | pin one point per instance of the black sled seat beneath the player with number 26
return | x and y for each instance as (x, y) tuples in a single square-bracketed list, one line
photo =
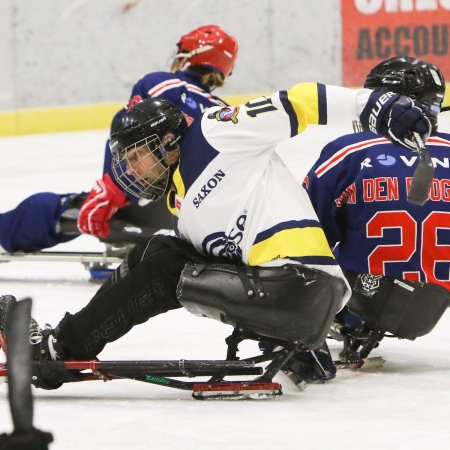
[(388, 308)]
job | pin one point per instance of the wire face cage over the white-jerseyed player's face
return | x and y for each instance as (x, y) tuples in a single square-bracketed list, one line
[(141, 169)]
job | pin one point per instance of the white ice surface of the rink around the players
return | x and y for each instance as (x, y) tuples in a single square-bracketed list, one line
[(403, 405)]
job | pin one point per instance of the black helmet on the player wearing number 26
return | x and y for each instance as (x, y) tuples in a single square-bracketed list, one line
[(412, 77)]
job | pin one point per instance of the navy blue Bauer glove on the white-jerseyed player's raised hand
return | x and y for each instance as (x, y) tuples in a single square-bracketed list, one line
[(395, 117)]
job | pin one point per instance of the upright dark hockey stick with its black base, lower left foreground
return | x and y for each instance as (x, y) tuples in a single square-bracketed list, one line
[(24, 436)]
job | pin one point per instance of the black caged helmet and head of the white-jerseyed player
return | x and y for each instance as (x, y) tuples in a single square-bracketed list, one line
[(141, 143)]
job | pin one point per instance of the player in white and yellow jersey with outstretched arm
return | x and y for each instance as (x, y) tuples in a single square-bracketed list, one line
[(236, 203)]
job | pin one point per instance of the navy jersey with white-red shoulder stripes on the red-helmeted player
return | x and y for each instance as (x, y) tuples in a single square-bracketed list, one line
[(182, 88)]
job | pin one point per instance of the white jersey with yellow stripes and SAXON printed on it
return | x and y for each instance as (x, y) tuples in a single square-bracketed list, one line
[(236, 198)]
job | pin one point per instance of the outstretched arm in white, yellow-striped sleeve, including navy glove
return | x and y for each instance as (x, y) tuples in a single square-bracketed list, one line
[(262, 123)]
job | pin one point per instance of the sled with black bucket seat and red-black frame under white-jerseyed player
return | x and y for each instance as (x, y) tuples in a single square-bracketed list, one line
[(248, 299)]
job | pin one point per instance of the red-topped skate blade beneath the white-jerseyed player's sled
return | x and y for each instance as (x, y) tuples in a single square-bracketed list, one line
[(237, 391)]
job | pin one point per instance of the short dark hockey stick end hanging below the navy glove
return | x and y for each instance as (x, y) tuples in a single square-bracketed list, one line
[(423, 175)]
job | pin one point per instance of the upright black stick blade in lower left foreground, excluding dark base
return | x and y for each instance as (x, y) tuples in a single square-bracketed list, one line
[(19, 365)]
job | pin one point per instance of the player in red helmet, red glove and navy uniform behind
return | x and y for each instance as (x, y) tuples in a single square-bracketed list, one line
[(205, 58)]
